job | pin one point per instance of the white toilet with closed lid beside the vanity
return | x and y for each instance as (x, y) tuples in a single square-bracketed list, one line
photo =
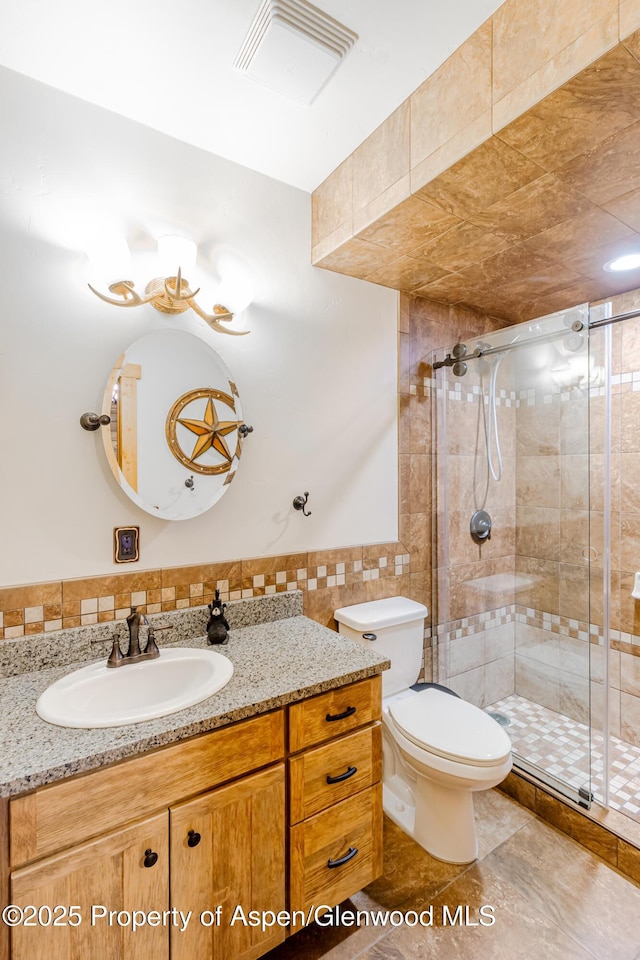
[(437, 748)]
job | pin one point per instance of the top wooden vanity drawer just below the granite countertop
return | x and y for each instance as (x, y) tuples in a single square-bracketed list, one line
[(331, 714)]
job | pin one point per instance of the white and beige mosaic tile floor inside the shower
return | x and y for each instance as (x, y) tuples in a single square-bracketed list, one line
[(560, 746)]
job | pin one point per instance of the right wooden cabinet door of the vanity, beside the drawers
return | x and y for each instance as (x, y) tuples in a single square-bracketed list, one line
[(228, 852)]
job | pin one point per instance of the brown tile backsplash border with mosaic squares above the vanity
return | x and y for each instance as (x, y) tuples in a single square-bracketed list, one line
[(57, 605)]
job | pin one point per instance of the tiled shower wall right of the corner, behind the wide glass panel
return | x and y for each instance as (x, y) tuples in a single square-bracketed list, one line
[(552, 547)]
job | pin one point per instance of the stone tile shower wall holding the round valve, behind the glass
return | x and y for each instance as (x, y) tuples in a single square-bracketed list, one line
[(476, 598)]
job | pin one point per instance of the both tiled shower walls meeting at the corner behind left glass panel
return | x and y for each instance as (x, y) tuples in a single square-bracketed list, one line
[(514, 610)]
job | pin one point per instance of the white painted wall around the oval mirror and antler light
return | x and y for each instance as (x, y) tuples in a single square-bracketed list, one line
[(316, 375)]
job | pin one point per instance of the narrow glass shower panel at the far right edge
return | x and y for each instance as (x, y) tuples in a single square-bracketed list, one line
[(615, 506)]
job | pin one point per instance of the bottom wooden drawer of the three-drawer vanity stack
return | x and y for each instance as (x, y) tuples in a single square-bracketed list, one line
[(337, 852)]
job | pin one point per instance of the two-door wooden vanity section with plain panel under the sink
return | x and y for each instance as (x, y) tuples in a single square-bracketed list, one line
[(154, 864)]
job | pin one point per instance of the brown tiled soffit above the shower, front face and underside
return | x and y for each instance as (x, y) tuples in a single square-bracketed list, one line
[(508, 177)]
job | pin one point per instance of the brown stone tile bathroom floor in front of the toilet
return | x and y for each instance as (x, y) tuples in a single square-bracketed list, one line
[(552, 899)]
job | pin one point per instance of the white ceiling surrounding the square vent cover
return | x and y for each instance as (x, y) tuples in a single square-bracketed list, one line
[(174, 71)]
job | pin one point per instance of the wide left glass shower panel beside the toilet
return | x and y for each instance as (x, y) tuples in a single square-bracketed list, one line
[(512, 548)]
